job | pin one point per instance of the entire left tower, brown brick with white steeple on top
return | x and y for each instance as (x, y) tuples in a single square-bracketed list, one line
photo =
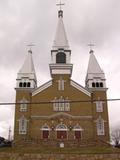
[(26, 83)]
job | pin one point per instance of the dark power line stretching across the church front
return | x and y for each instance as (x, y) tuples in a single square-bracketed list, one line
[(65, 101)]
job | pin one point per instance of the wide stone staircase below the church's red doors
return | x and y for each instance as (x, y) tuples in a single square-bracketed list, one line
[(61, 143)]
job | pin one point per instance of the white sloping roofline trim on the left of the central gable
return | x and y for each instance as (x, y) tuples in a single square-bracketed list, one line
[(41, 88)]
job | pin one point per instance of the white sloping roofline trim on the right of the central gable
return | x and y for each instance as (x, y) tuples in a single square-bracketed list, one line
[(80, 88)]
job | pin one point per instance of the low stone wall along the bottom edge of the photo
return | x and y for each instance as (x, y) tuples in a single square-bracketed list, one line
[(17, 156)]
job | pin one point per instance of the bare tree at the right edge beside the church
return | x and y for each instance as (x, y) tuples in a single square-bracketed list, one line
[(115, 136)]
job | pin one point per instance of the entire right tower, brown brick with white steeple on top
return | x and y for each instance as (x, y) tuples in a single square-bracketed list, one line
[(96, 84)]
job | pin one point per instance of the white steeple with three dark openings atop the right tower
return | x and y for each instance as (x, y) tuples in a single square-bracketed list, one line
[(95, 77)]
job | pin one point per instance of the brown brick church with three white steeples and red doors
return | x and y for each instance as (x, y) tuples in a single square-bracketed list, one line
[(61, 112)]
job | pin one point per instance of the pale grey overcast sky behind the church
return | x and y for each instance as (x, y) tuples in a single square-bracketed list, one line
[(34, 21)]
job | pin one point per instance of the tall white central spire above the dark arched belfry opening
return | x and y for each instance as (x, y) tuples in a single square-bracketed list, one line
[(60, 37)]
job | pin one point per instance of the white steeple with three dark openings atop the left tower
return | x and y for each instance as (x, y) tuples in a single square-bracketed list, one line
[(26, 77)]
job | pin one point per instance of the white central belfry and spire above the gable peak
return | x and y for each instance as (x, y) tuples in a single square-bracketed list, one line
[(60, 53)]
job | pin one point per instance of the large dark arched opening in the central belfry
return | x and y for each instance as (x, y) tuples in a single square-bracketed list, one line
[(61, 57)]
